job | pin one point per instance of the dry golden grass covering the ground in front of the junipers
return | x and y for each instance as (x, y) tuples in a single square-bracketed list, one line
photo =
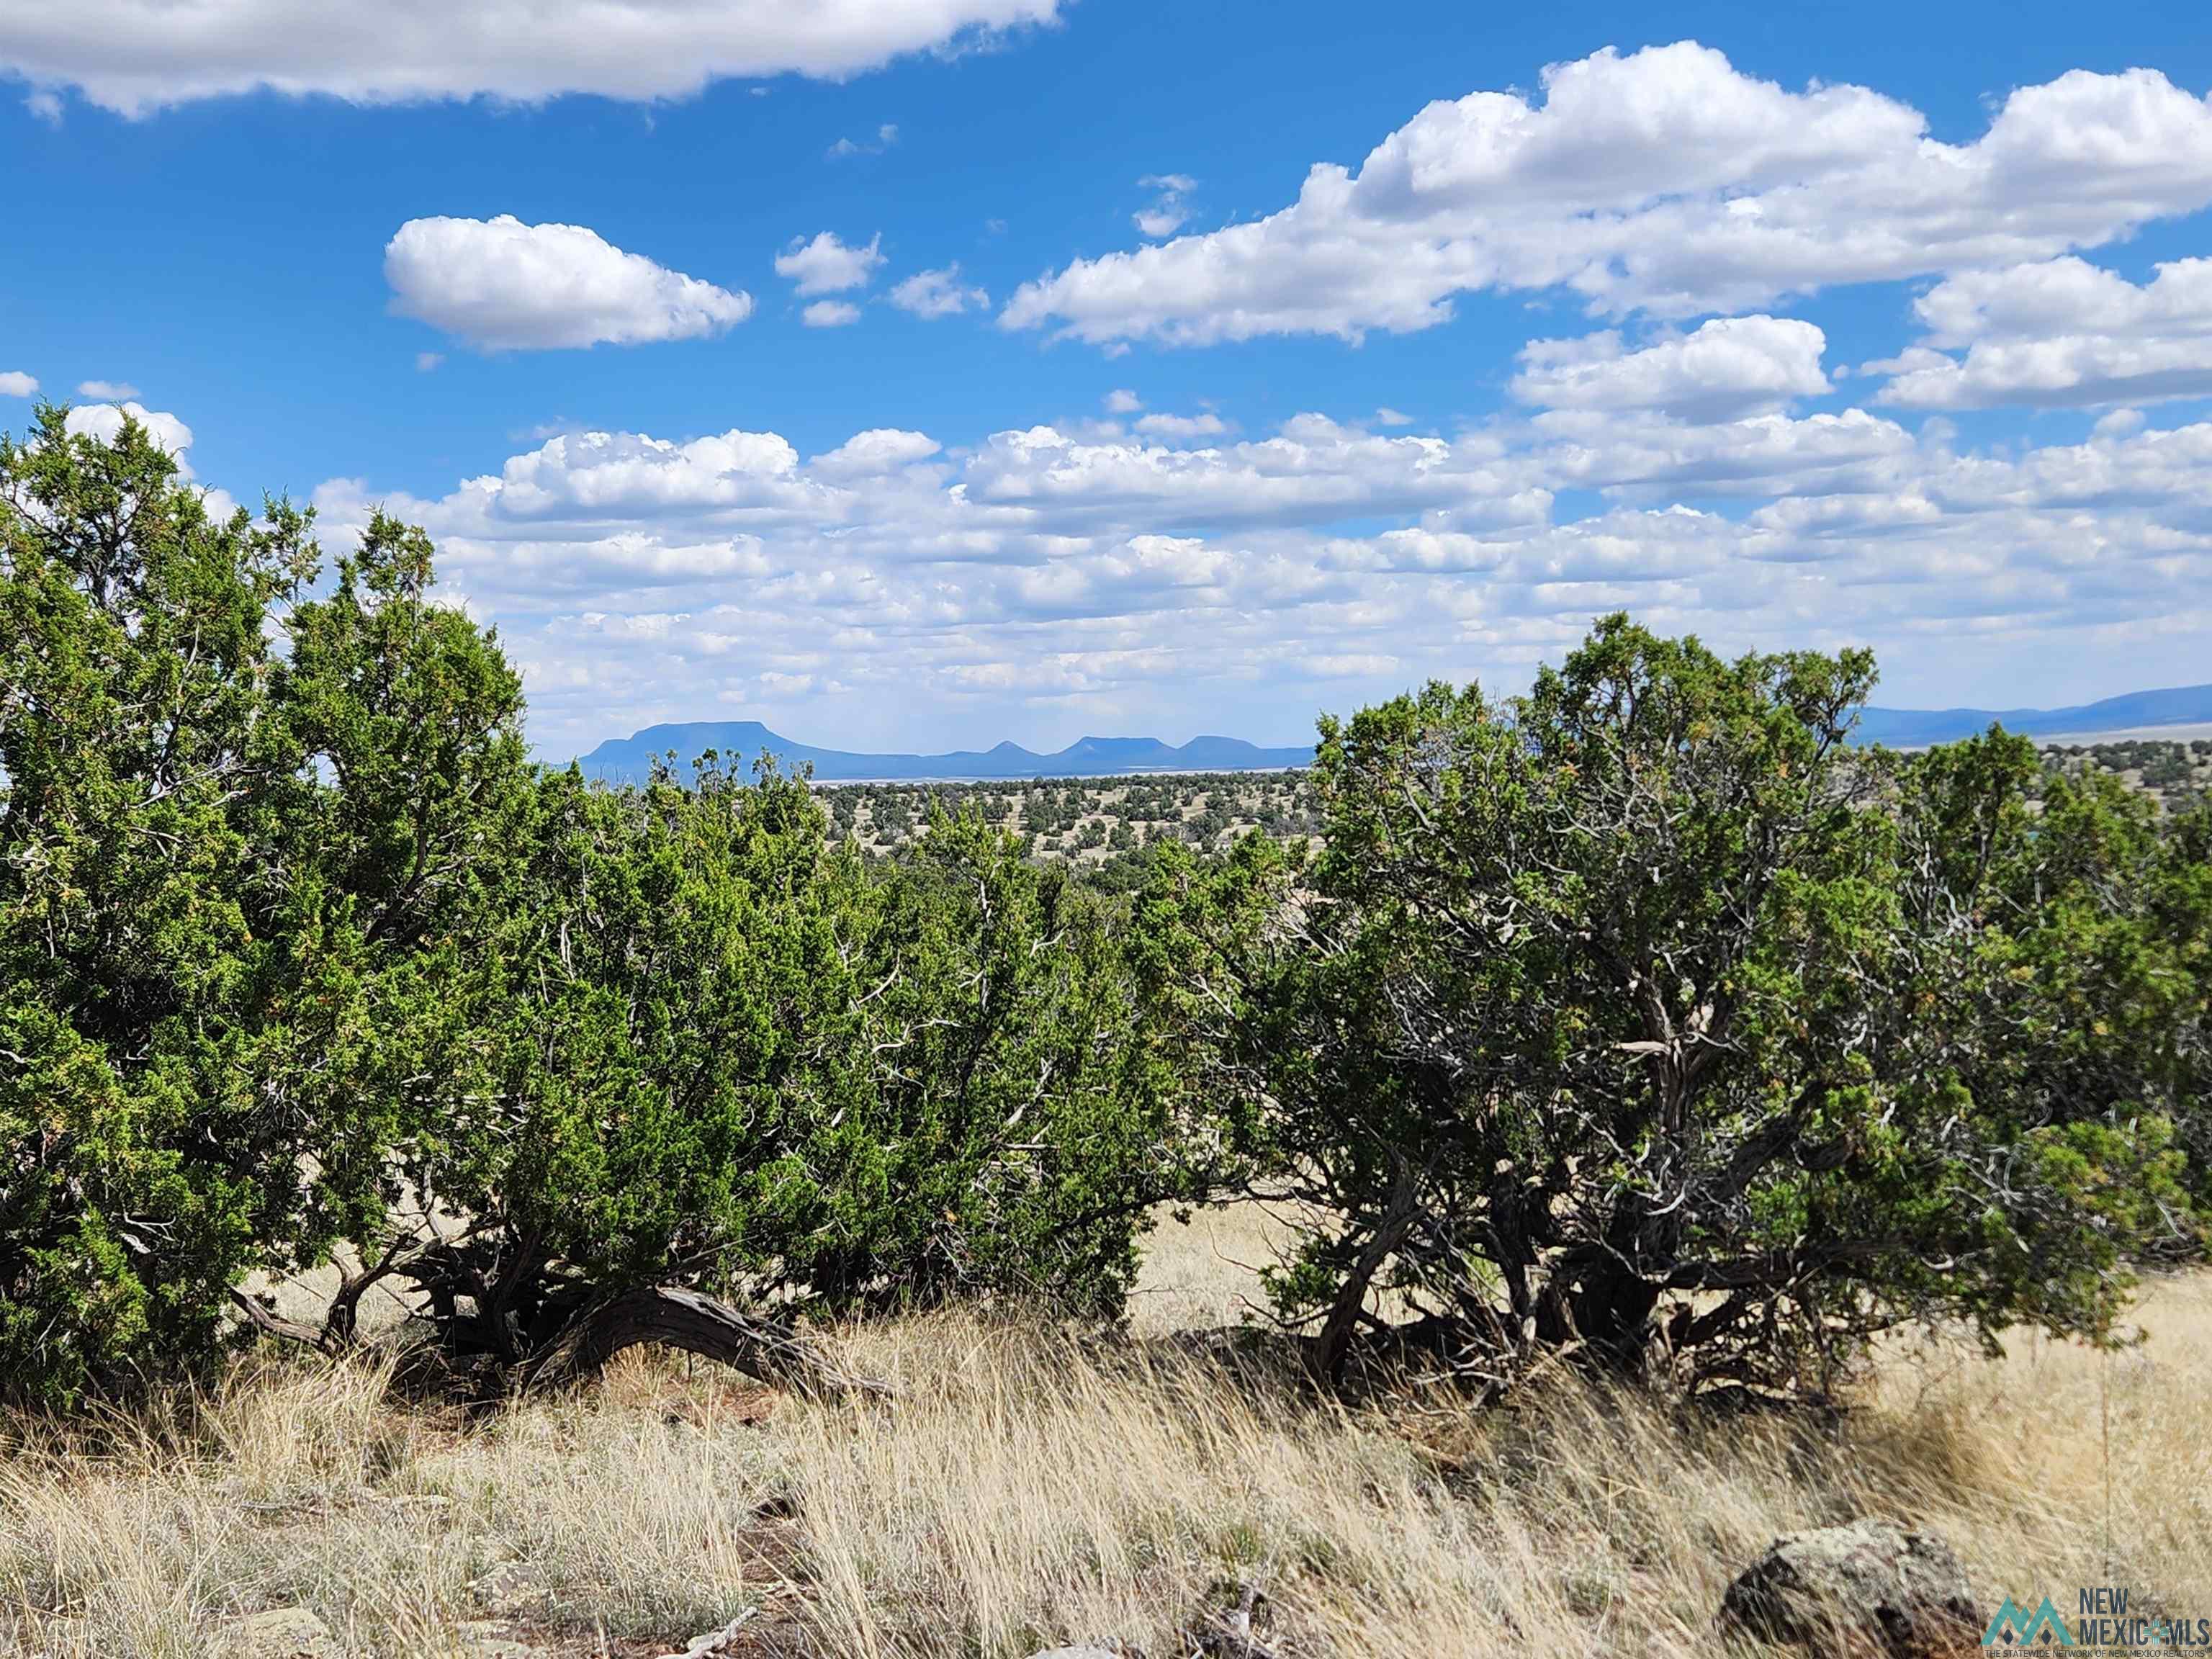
[(1032, 1488)]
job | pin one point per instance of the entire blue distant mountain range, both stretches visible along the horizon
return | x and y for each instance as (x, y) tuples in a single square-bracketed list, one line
[(629, 760)]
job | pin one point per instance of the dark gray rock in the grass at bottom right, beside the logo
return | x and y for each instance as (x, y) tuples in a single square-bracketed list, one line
[(1861, 1589)]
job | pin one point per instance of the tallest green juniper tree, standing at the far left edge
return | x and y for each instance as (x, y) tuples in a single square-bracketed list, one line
[(218, 877)]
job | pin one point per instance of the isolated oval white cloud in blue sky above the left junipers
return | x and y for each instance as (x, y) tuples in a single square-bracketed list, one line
[(505, 286)]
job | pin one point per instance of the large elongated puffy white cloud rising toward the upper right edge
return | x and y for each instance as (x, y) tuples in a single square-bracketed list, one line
[(1660, 182)]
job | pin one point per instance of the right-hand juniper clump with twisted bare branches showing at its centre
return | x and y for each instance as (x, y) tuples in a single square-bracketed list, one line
[(1645, 1021)]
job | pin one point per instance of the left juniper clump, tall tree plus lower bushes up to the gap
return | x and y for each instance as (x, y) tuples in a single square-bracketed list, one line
[(300, 959)]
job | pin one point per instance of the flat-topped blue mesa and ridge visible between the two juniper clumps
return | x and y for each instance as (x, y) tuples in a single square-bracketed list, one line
[(629, 760)]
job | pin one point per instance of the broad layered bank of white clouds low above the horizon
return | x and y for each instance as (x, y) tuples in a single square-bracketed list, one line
[(1127, 578)]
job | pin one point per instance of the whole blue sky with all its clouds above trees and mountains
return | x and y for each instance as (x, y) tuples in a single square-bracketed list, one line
[(1866, 324)]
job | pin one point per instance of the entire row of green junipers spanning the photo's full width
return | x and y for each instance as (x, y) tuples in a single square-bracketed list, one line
[(1638, 1021)]
